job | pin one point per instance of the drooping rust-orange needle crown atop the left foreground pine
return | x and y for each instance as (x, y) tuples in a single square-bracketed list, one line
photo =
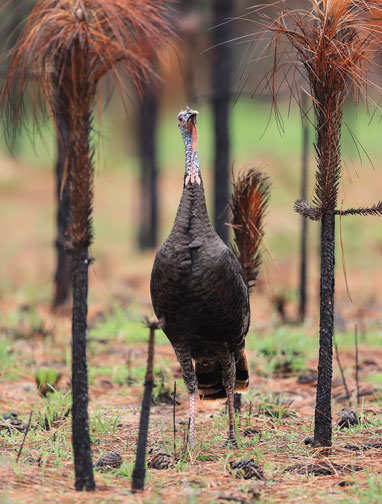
[(109, 34)]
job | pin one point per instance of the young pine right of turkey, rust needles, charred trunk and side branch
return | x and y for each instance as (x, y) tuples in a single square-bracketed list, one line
[(332, 46)]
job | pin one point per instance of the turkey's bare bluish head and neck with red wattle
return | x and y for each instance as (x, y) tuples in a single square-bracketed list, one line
[(187, 126)]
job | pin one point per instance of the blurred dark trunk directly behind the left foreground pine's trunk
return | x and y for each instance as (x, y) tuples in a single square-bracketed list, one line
[(63, 275)]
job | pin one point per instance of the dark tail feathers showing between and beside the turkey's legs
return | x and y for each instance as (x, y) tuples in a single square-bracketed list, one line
[(210, 378)]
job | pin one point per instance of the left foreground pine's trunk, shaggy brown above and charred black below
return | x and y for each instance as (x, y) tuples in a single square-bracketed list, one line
[(74, 100)]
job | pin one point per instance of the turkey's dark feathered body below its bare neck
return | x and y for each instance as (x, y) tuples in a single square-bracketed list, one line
[(198, 290)]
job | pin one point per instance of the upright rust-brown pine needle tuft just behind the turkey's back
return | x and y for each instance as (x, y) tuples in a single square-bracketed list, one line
[(248, 206)]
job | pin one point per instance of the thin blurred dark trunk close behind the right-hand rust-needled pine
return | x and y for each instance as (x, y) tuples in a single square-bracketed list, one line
[(304, 222)]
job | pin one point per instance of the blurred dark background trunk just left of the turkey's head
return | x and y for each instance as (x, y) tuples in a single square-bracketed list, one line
[(148, 229)]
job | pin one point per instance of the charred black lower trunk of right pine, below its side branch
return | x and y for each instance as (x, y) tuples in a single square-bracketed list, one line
[(323, 412)]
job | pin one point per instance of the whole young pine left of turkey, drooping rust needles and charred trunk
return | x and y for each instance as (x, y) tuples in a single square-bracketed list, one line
[(68, 46)]
